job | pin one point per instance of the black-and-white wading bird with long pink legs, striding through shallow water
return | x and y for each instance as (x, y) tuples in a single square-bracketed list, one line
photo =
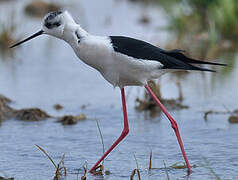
[(122, 61)]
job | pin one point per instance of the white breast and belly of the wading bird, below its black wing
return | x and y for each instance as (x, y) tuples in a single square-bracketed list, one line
[(118, 69)]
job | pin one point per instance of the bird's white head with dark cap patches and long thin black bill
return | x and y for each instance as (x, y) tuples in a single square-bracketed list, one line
[(53, 24)]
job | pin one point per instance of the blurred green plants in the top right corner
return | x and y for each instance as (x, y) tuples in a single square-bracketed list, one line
[(215, 18)]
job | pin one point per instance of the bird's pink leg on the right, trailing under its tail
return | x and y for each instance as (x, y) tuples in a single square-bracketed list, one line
[(173, 124)]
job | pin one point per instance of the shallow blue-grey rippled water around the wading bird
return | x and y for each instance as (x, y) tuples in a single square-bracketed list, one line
[(45, 71)]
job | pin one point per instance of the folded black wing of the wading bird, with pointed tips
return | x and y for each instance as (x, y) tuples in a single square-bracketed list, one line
[(173, 59)]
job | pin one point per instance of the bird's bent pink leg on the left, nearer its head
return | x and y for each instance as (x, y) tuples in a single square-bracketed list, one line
[(125, 131)]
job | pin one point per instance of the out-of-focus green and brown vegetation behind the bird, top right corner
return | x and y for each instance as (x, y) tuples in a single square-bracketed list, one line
[(212, 24)]
